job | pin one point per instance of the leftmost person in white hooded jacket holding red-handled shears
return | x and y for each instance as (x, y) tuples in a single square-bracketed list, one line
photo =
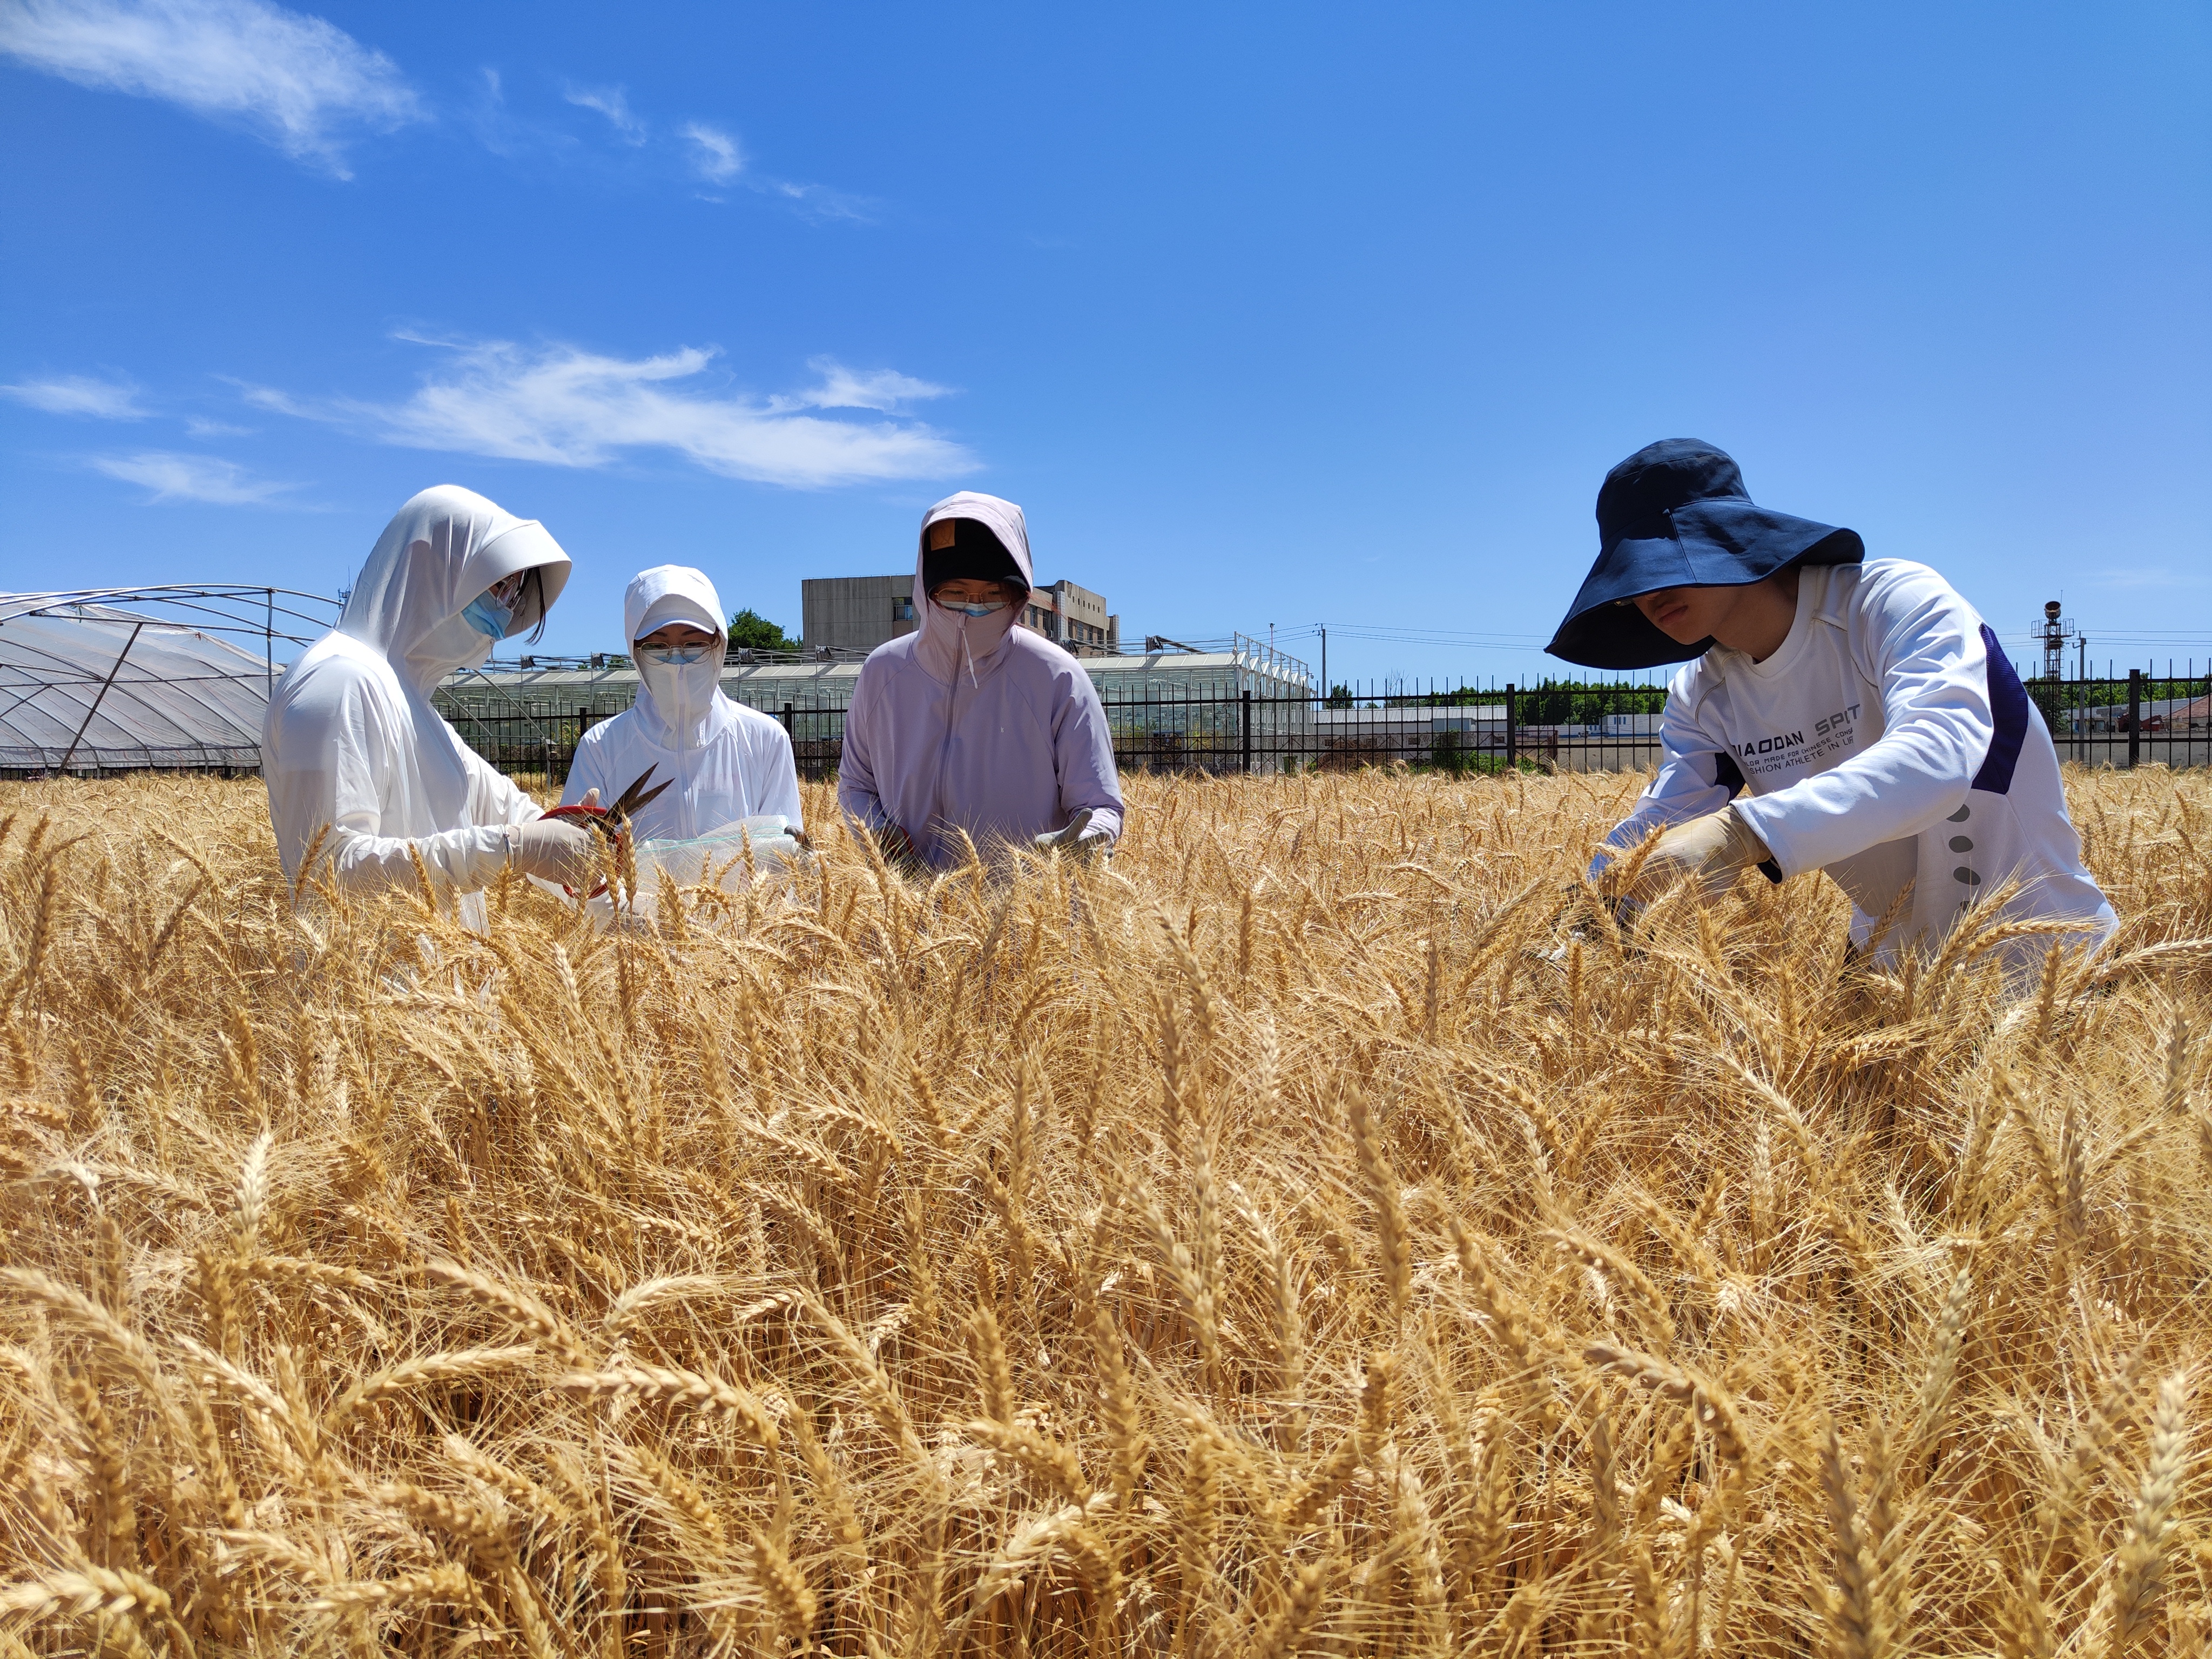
[(355, 758)]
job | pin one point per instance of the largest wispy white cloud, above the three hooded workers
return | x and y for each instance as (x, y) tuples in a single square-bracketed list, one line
[(570, 408)]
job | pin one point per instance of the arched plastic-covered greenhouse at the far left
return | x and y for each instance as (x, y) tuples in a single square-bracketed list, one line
[(123, 680)]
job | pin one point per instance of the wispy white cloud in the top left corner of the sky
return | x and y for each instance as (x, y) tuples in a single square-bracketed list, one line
[(295, 81)]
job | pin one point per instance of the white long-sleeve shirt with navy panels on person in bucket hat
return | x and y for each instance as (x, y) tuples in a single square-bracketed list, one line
[(1886, 742)]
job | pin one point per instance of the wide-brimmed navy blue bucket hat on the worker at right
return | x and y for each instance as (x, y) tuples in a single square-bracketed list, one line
[(1676, 517)]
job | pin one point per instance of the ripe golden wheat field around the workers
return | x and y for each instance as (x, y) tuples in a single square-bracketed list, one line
[(1319, 1233)]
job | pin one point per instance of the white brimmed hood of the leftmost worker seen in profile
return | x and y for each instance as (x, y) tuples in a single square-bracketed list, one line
[(437, 554)]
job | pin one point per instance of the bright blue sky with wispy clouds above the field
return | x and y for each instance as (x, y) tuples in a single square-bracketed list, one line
[(1266, 315)]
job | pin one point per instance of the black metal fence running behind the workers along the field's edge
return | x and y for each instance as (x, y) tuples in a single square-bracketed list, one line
[(2131, 720)]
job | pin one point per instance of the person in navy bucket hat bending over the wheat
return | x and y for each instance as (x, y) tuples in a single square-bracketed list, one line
[(1839, 713)]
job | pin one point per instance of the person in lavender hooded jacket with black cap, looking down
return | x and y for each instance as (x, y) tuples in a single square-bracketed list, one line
[(974, 727)]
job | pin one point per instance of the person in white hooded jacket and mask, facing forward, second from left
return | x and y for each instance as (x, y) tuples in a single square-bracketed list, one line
[(720, 760)]
